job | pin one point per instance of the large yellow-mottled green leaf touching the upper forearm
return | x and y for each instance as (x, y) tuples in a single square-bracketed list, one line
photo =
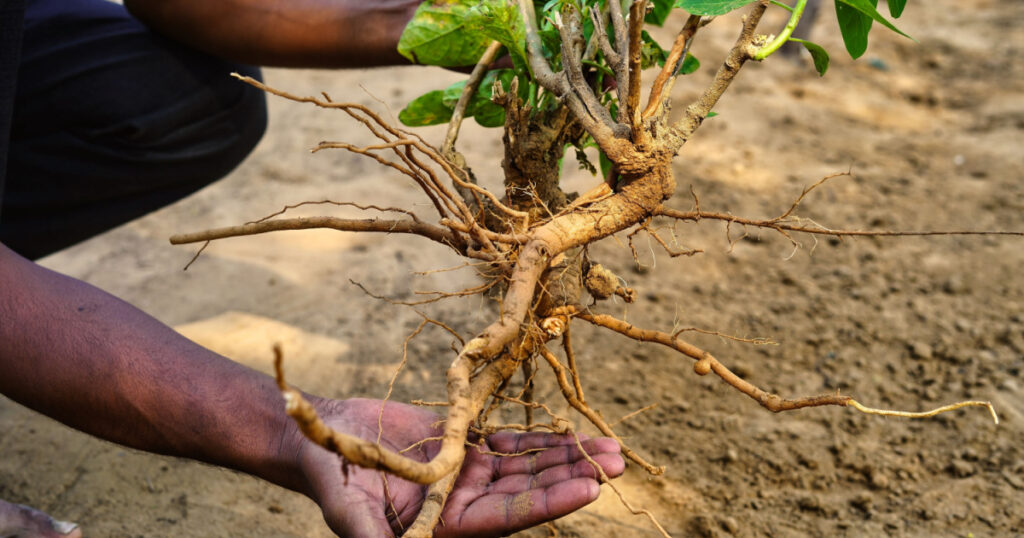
[(438, 35)]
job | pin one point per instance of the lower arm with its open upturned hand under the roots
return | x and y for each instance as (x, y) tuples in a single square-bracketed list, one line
[(98, 364)]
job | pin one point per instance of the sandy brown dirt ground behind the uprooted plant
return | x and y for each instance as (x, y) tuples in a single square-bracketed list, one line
[(934, 135)]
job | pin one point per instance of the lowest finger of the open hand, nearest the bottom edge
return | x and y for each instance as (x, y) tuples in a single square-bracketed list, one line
[(501, 514)]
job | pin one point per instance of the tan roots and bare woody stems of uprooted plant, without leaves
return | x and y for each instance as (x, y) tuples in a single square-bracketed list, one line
[(532, 241)]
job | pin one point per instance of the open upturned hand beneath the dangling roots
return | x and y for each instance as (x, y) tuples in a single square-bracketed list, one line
[(493, 496)]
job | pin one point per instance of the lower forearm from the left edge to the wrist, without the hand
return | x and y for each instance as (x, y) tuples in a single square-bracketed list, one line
[(82, 357)]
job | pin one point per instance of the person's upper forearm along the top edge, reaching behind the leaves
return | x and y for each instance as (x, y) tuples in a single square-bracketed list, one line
[(287, 33)]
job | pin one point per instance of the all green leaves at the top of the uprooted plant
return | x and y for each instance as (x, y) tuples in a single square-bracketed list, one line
[(455, 34)]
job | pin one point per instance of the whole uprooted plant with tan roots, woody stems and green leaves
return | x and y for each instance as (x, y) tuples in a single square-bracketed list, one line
[(574, 82)]
